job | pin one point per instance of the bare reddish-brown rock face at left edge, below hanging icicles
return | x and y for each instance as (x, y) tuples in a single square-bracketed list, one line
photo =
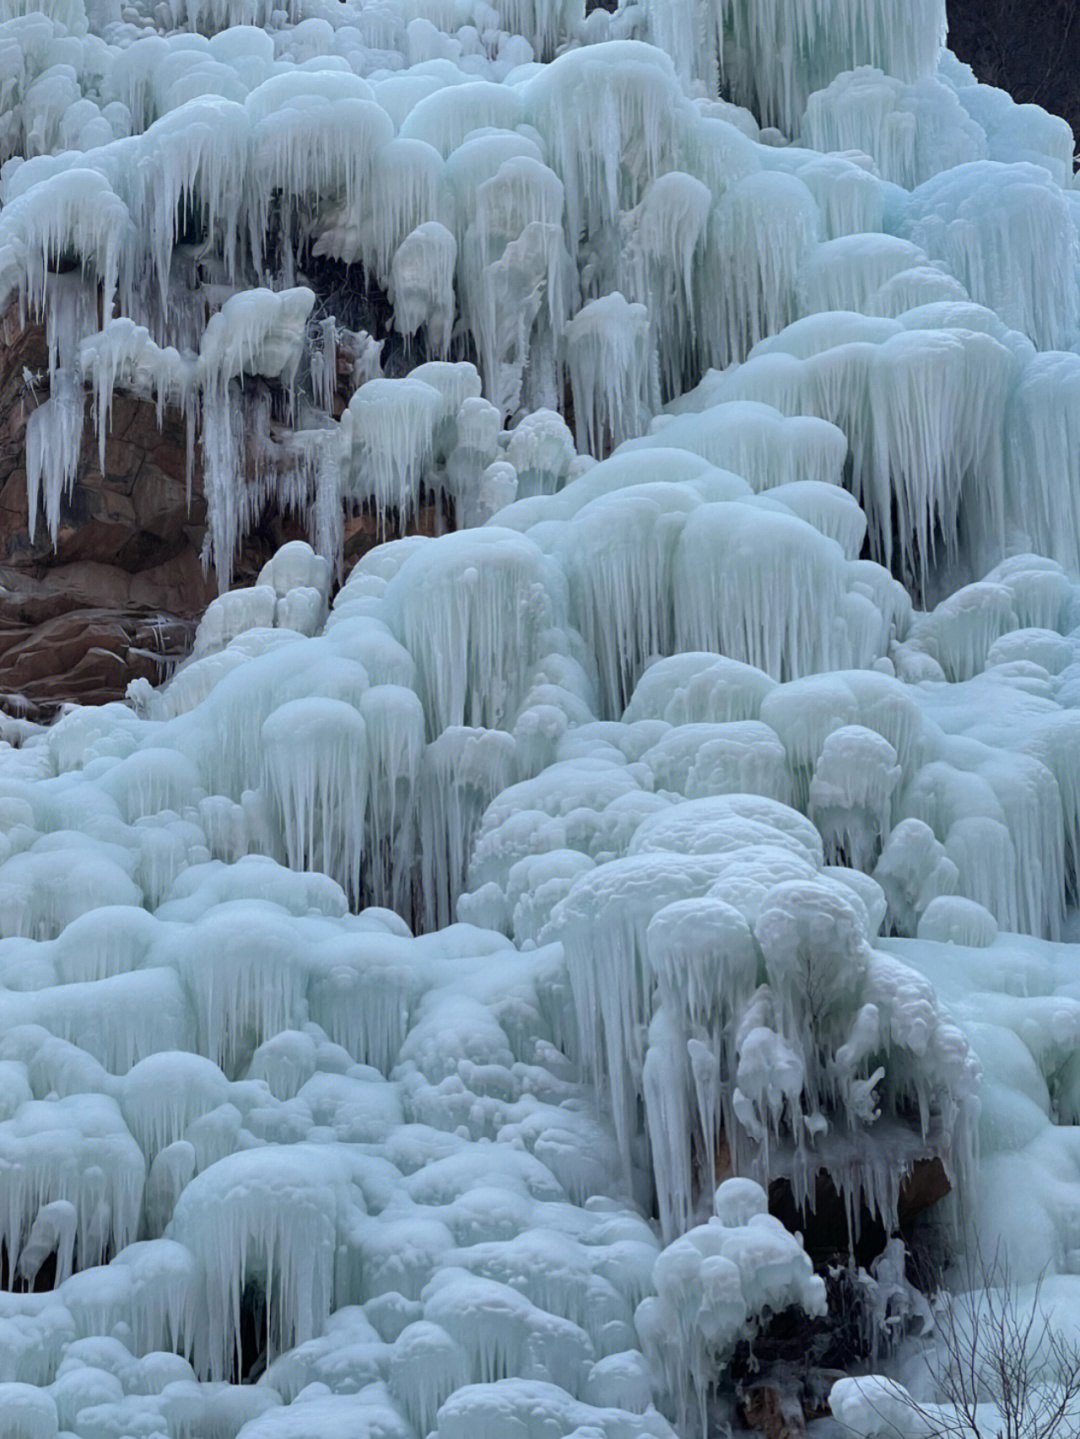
[(120, 592)]
